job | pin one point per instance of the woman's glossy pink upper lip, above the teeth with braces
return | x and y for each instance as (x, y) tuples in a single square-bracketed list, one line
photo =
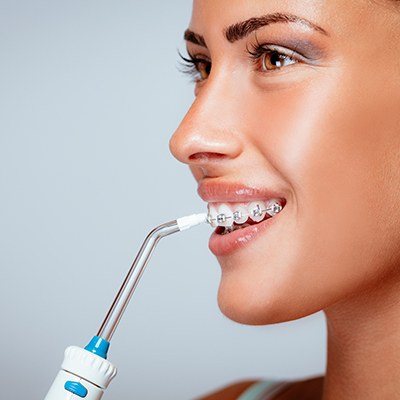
[(214, 191)]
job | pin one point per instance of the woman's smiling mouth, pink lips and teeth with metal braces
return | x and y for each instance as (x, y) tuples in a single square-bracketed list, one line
[(240, 213)]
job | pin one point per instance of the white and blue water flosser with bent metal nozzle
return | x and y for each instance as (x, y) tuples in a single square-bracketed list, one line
[(85, 372)]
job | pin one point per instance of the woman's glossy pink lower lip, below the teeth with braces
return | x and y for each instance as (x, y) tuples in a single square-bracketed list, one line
[(222, 245)]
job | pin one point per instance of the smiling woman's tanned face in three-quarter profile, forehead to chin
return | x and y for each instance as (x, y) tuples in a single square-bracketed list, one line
[(311, 118)]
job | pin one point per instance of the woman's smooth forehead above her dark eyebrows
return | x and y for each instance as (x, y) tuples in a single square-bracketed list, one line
[(339, 17)]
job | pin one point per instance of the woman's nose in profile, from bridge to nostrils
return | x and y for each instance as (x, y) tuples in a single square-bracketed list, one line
[(208, 135)]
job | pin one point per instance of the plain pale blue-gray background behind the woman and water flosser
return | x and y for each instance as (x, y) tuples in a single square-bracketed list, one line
[(90, 93)]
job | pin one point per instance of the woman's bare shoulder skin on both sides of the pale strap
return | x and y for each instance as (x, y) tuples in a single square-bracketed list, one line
[(308, 389)]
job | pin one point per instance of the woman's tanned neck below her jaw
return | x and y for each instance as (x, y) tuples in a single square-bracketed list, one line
[(364, 346)]
